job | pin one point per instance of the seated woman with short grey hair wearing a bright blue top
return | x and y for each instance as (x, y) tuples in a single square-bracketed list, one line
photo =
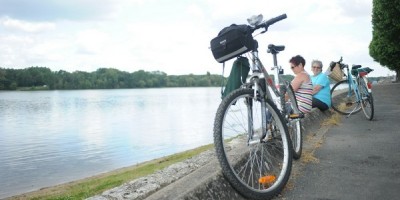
[(321, 91)]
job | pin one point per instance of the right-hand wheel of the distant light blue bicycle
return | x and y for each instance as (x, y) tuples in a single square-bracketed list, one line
[(367, 100)]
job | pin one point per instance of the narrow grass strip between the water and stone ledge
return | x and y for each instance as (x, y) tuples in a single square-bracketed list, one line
[(92, 186)]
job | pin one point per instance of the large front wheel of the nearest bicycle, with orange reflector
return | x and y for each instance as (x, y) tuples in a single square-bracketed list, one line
[(244, 165)]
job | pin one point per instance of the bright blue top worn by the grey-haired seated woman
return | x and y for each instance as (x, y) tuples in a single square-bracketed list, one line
[(324, 93)]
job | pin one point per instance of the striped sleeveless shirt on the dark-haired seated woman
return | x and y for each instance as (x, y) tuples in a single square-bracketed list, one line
[(304, 97)]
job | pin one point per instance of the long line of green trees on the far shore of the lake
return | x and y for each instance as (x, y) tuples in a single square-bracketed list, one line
[(103, 78)]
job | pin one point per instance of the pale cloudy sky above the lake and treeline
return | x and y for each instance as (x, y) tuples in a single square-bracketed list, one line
[(174, 36)]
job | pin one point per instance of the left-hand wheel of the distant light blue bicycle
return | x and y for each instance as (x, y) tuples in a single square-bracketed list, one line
[(344, 100)]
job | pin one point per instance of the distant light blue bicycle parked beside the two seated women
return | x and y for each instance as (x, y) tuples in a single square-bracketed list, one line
[(354, 93)]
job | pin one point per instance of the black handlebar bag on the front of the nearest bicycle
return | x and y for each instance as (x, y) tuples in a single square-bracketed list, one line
[(232, 41)]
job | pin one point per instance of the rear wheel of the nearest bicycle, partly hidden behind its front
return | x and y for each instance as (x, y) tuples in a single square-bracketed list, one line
[(295, 129)]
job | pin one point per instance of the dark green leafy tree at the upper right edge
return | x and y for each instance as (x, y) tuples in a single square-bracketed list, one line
[(384, 47)]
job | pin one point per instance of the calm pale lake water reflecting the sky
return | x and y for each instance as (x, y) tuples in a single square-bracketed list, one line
[(53, 137)]
